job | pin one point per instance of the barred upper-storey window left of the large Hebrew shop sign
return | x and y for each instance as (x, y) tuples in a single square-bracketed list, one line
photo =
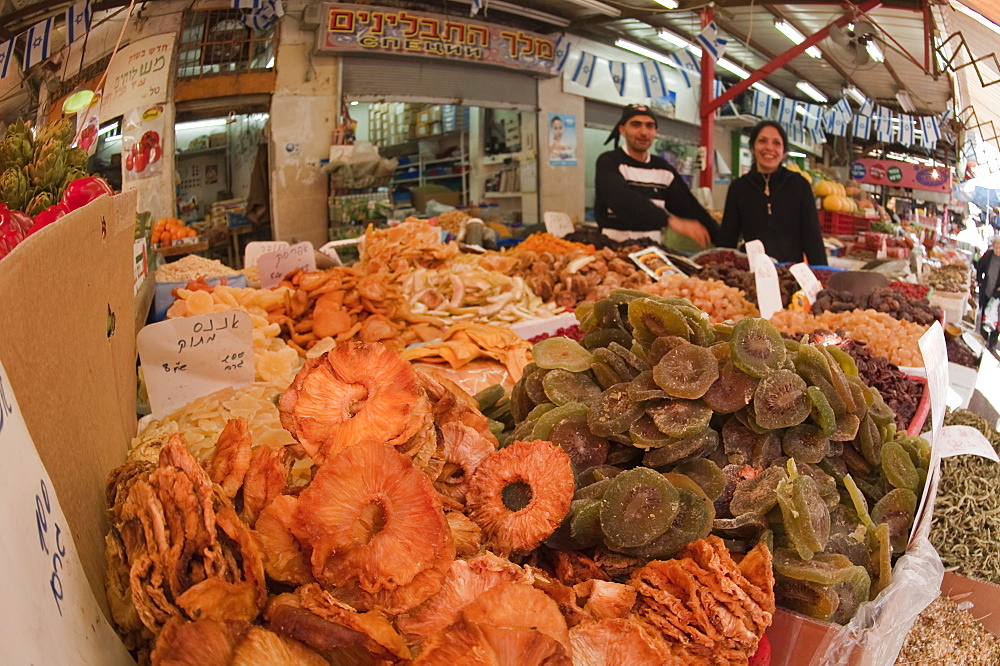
[(224, 41)]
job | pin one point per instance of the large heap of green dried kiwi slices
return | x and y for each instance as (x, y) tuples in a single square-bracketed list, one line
[(677, 428)]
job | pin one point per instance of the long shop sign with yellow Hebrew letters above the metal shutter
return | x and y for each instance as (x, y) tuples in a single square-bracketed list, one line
[(366, 29)]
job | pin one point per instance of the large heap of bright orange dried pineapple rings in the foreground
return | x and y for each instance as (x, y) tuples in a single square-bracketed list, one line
[(380, 556)]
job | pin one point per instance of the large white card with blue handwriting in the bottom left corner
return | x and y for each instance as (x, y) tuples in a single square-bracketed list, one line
[(49, 614)]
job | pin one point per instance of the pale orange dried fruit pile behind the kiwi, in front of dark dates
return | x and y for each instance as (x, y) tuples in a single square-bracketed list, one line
[(883, 334)]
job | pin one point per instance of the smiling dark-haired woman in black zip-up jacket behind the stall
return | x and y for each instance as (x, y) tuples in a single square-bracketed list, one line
[(773, 204)]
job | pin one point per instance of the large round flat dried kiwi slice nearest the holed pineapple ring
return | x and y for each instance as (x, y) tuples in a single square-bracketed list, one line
[(637, 507)]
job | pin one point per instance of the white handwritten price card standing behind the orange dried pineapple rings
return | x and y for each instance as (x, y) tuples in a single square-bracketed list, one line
[(188, 357)]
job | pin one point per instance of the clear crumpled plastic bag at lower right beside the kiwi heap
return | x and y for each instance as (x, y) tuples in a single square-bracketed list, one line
[(879, 628)]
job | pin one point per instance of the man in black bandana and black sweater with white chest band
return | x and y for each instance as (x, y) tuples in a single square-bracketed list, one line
[(638, 194)]
